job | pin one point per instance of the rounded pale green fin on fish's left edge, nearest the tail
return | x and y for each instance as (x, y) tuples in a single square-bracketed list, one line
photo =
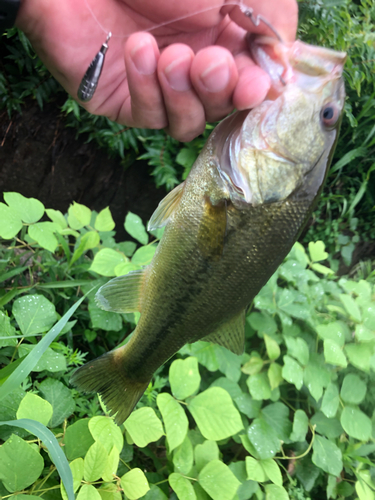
[(122, 294)]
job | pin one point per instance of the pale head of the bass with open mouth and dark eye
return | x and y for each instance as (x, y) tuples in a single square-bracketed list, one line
[(272, 148)]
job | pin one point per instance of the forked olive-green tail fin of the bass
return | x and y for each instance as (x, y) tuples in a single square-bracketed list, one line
[(106, 375)]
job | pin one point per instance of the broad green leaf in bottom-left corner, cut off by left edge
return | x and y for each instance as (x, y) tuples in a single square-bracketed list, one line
[(20, 464)]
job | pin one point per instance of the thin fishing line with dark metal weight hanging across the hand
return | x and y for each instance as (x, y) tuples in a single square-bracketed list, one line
[(91, 78)]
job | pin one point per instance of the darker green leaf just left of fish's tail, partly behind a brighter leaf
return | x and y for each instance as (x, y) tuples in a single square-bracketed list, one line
[(61, 399)]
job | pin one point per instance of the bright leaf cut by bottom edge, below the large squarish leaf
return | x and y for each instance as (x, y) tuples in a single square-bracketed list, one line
[(218, 480)]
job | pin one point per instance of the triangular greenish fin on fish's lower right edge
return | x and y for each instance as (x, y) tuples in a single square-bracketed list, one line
[(230, 335)]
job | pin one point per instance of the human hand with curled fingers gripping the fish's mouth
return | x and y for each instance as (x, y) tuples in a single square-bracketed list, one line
[(188, 72)]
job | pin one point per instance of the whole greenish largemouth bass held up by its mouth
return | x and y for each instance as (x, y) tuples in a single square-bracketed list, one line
[(229, 225)]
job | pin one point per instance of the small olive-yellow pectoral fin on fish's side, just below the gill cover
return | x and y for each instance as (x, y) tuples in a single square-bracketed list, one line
[(212, 229)]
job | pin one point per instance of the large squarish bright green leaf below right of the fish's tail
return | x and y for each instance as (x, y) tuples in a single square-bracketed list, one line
[(215, 414)]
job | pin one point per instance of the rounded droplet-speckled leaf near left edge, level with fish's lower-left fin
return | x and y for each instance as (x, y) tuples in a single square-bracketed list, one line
[(34, 314)]
